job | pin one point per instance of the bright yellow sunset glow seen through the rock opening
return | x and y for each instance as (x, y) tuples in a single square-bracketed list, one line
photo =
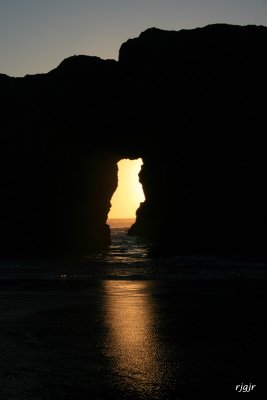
[(129, 193)]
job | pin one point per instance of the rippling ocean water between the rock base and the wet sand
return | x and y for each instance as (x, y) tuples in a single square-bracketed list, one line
[(131, 258)]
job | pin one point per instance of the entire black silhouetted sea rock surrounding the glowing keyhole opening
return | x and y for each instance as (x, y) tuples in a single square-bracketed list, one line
[(191, 103)]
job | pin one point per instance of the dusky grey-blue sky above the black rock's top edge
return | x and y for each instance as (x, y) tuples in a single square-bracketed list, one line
[(36, 35)]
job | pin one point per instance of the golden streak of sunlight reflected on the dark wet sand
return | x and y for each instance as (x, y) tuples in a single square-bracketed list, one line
[(133, 343)]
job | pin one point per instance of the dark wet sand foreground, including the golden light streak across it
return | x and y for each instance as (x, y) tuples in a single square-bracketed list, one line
[(103, 339)]
